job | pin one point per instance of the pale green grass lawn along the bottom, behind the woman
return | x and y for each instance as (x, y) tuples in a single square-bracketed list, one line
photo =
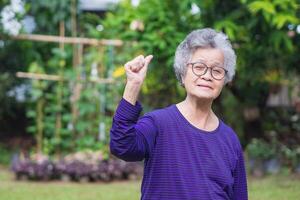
[(273, 188)]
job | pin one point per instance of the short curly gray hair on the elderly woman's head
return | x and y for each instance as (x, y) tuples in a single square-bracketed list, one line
[(203, 38)]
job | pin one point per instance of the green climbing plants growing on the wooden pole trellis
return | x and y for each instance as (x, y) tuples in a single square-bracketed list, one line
[(91, 120)]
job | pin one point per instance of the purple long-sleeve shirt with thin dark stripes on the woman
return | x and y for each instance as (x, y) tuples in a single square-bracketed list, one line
[(180, 161)]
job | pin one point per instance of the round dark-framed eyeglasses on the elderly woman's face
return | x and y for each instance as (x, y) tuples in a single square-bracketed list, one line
[(200, 68)]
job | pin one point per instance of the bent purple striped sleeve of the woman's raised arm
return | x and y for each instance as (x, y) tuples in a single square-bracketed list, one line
[(132, 138)]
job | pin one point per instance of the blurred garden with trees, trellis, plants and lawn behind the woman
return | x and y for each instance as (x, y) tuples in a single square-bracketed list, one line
[(62, 76)]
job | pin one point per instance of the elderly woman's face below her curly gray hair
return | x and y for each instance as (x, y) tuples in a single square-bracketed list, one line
[(204, 86)]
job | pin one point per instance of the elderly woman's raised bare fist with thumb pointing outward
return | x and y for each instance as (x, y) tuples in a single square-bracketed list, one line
[(136, 69)]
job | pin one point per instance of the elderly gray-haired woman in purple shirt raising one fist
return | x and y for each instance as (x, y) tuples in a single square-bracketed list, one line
[(188, 151)]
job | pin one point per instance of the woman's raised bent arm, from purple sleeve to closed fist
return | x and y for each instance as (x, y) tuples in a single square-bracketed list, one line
[(131, 138)]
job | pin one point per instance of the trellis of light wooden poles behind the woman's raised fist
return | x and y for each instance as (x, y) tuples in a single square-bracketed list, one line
[(78, 43)]
